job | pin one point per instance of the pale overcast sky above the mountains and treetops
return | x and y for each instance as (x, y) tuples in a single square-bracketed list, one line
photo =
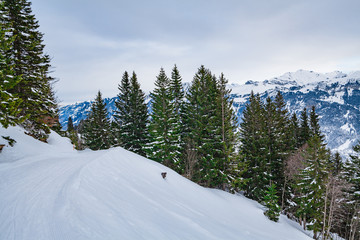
[(91, 42)]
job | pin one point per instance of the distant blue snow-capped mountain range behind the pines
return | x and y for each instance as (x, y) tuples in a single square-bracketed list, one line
[(335, 95)]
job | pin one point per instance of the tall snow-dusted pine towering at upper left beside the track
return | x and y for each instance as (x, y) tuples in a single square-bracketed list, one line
[(26, 54)]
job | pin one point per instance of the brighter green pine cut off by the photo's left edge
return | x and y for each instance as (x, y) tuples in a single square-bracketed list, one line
[(9, 103)]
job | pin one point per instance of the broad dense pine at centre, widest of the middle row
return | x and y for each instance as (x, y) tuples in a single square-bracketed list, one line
[(202, 128)]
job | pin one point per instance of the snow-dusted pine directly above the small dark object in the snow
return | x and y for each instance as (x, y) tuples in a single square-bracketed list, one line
[(161, 128)]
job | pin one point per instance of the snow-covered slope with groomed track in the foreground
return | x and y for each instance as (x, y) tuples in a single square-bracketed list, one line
[(50, 191)]
